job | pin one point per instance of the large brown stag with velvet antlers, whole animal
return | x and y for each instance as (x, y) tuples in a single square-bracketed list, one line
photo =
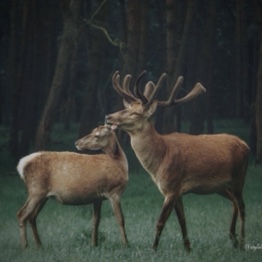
[(181, 163)]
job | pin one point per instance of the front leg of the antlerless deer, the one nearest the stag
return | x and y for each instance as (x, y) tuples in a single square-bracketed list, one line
[(116, 205)]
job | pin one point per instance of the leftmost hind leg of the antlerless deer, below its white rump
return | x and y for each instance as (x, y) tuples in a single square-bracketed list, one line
[(23, 214)]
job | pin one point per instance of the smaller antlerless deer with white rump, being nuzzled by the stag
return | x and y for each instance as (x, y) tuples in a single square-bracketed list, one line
[(75, 179)]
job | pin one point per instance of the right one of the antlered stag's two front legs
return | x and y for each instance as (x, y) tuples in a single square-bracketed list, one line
[(179, 208)]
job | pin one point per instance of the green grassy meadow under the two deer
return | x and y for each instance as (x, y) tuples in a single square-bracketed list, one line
[(66, 230)]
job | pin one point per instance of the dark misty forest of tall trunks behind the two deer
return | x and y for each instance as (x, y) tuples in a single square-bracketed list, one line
[(58, 58)]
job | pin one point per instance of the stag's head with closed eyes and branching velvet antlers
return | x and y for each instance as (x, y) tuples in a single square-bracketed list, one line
[(140, 106)]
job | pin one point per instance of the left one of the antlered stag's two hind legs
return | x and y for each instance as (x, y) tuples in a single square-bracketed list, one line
[(232, 233)]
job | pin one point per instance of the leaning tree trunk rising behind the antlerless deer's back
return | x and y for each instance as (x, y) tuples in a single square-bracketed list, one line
[(69, 42)]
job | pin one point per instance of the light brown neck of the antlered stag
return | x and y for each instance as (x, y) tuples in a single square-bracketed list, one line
[(149, 148)]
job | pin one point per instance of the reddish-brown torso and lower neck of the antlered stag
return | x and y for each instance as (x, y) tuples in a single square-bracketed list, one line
[(194, 165)]
